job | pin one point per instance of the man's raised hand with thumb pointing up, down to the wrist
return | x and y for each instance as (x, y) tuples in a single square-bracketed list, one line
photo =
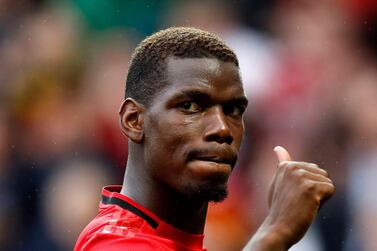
[(297, 192)]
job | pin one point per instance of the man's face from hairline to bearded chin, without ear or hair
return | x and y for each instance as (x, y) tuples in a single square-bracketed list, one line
[(193, 129)]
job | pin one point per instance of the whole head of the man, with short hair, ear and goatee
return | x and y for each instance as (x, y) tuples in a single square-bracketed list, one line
[(183, 111)]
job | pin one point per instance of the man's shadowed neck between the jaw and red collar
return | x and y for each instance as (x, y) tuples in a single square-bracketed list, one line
[(170, 206)]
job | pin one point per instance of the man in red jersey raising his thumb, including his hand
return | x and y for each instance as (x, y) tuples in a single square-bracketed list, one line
[(183, 117)]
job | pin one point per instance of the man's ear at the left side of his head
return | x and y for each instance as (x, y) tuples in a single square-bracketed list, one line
[(131, 115)]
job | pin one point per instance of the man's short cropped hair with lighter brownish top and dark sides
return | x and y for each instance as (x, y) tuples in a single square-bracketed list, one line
[(147, 70)]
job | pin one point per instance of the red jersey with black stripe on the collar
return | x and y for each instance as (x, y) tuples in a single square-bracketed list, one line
[(123, 224)]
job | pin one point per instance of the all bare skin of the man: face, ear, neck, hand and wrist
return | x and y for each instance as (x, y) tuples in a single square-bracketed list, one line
[(201, 108)]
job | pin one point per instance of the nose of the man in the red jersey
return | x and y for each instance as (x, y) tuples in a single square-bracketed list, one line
[(217, 128)]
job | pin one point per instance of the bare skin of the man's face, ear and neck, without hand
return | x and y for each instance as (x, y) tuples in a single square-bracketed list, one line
[(186, 140)]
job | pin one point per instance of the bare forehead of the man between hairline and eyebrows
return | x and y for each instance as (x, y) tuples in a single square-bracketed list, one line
[(207, 74)]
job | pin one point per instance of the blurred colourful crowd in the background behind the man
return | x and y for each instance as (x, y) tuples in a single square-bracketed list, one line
[(309, 69)]
